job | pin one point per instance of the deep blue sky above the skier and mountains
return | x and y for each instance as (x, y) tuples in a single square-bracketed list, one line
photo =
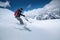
[(26, 4)]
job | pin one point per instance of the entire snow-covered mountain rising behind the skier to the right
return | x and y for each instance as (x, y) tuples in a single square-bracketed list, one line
[(49, 11)]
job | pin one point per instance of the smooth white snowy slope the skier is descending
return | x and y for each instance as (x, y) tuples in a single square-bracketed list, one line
[(41, 30)]
